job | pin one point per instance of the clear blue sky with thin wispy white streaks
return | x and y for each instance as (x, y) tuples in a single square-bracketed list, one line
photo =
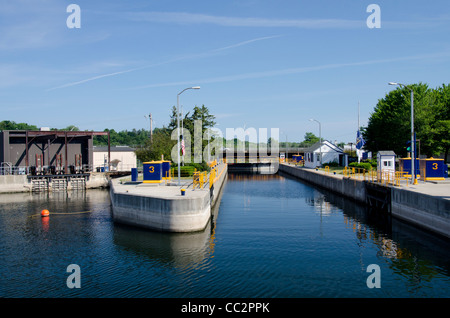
[(262, 64)]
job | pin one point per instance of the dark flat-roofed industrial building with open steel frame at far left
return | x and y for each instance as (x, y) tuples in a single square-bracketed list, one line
[(47, 152)]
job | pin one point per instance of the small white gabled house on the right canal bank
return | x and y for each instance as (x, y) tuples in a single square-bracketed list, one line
[(330, 153)]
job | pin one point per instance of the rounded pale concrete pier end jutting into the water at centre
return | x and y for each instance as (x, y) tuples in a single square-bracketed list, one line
[(162, 207)]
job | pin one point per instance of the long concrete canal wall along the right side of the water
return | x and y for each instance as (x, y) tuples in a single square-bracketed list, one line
[(426, 205)]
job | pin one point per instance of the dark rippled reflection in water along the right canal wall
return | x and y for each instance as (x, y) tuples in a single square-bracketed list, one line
[(415, 254)]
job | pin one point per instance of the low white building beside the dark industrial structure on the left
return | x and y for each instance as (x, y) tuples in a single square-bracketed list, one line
[(123, 158)]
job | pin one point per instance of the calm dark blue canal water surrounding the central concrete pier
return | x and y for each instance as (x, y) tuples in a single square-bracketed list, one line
[(272, 236)]
